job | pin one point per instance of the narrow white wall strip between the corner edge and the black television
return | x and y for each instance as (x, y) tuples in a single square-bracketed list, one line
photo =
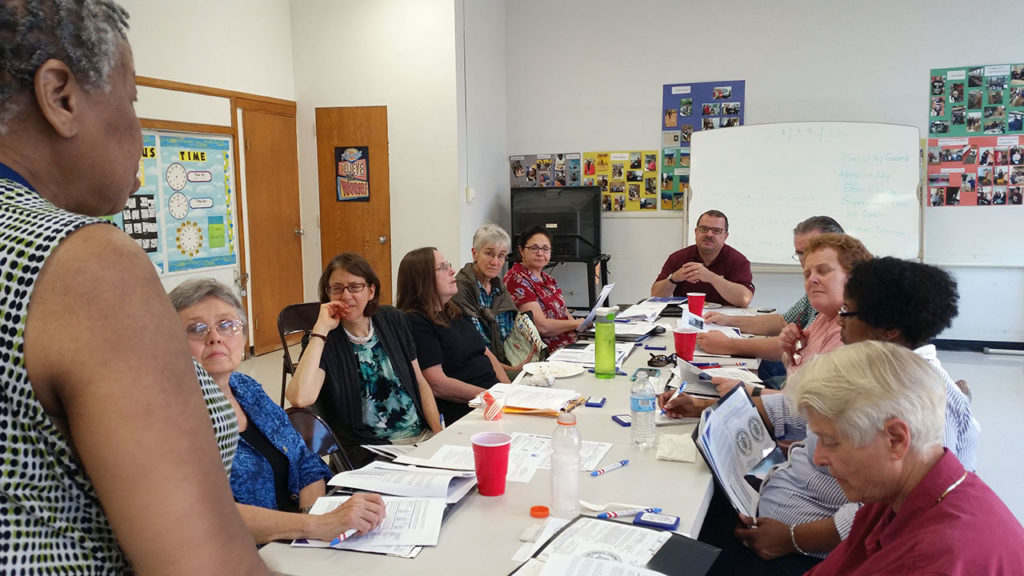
[(483, 153)]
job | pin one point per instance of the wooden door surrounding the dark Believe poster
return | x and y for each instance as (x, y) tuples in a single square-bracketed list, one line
[(356, 226)]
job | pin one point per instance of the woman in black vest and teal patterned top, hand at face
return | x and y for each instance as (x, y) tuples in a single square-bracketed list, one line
[(364, 379)]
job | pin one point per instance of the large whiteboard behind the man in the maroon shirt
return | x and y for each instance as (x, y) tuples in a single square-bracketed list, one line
[(769, 178)]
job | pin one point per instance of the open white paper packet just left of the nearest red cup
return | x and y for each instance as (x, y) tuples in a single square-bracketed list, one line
[(408, 481)]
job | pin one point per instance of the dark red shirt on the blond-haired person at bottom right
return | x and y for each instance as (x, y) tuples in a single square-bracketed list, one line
[(969, 532)]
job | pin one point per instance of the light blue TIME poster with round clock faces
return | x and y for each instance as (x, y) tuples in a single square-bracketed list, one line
[(199, 224)]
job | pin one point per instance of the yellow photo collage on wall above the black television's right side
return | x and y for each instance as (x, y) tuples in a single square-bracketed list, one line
[(628, 180)]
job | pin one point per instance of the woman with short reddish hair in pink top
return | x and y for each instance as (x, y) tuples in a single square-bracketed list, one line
[(828, 263)]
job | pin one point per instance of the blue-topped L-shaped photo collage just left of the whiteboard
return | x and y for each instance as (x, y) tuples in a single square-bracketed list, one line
[(688, 109)]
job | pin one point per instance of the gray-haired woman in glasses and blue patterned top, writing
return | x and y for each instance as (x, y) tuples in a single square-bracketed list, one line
[(275, 475)]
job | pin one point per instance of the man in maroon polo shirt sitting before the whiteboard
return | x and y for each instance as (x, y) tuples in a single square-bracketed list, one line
[(709, 266)]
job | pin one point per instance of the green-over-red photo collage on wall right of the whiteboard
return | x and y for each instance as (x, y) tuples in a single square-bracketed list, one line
[(975, 154)]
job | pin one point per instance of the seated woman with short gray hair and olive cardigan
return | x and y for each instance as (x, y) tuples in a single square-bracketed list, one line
[(483, 297)]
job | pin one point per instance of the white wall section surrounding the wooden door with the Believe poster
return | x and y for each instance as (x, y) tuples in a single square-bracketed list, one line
[(399, 54)]
